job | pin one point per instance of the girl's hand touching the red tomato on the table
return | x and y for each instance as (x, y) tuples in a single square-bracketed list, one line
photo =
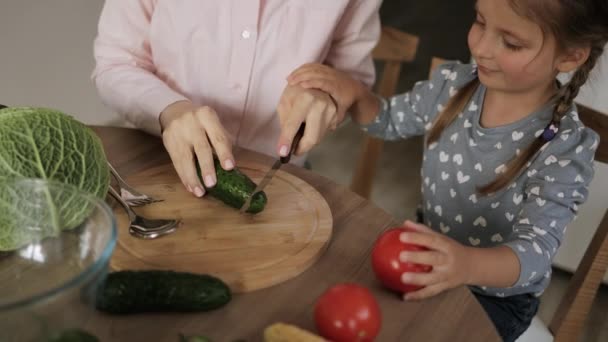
[(450, 261)]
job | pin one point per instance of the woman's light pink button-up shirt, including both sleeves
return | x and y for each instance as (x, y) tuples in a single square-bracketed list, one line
[(231, 55)]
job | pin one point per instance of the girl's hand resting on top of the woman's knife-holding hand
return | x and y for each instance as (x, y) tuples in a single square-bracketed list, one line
[(339, 85)]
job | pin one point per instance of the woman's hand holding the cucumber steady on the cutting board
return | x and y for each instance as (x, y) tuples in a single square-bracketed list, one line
[(189, 131)]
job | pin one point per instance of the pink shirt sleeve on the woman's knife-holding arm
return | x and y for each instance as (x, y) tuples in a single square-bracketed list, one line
[(355, 37)]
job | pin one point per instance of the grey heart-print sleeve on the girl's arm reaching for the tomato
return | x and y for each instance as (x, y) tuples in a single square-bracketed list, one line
[(557, 186)]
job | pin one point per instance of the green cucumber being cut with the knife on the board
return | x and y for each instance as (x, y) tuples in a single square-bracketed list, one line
[(234, 187)]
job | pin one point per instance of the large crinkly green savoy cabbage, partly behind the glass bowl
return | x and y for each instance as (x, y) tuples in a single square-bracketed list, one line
[(46, 144)]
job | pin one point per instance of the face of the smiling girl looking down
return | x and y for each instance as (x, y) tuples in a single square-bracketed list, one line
[(512, 53)]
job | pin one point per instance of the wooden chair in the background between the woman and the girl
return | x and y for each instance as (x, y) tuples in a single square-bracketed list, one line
[(393, 49)]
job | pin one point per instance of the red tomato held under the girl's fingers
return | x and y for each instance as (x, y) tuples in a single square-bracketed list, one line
[(386, 264)]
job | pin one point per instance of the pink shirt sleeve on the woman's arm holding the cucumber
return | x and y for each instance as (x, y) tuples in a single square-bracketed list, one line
[(124, 73)]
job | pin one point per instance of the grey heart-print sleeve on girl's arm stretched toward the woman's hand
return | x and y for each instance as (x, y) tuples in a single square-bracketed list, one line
[(412, 114)]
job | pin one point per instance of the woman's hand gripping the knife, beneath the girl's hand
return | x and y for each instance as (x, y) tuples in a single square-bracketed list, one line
[(312, 106)]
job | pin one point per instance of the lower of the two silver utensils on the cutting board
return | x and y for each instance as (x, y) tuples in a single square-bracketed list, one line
[(141, 226)]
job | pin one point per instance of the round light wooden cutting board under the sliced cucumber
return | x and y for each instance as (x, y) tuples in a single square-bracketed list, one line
[(248, 252)]
